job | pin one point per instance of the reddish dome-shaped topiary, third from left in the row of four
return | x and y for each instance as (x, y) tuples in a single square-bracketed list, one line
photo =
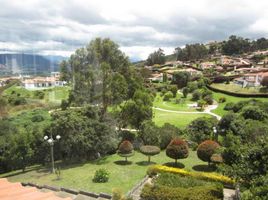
[(177, 149)]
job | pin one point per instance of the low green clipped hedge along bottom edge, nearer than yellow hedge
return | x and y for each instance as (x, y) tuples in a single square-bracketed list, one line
[(210, 192)]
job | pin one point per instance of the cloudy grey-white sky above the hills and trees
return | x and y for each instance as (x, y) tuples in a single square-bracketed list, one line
[(58, 27)]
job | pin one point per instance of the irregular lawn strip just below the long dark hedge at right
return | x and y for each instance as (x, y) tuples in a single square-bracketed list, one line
[(220, 111)]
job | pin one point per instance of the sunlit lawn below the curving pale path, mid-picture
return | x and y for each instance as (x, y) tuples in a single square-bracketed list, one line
[(178, 119)]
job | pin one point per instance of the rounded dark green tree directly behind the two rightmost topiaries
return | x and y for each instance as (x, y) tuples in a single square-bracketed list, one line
[(201, 129)]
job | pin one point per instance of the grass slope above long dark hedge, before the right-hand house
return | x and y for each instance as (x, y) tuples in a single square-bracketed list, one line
[(232, 87)]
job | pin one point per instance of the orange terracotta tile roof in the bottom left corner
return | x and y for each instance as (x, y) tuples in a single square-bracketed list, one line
[(11, 191)]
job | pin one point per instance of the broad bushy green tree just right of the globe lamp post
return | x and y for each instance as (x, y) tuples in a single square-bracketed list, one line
[(85, 135)]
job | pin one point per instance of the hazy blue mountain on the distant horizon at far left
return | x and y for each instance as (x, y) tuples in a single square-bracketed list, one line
[(30, 64)]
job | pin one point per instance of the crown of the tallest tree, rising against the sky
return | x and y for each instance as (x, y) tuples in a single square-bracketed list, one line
[(96, 69)]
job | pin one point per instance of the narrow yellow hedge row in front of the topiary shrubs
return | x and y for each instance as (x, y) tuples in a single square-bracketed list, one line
[(153, 170)]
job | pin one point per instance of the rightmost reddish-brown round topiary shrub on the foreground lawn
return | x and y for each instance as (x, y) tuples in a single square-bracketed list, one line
[(206, 149)]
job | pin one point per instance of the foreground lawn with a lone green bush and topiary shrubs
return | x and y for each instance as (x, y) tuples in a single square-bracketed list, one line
[(79, 176)]
